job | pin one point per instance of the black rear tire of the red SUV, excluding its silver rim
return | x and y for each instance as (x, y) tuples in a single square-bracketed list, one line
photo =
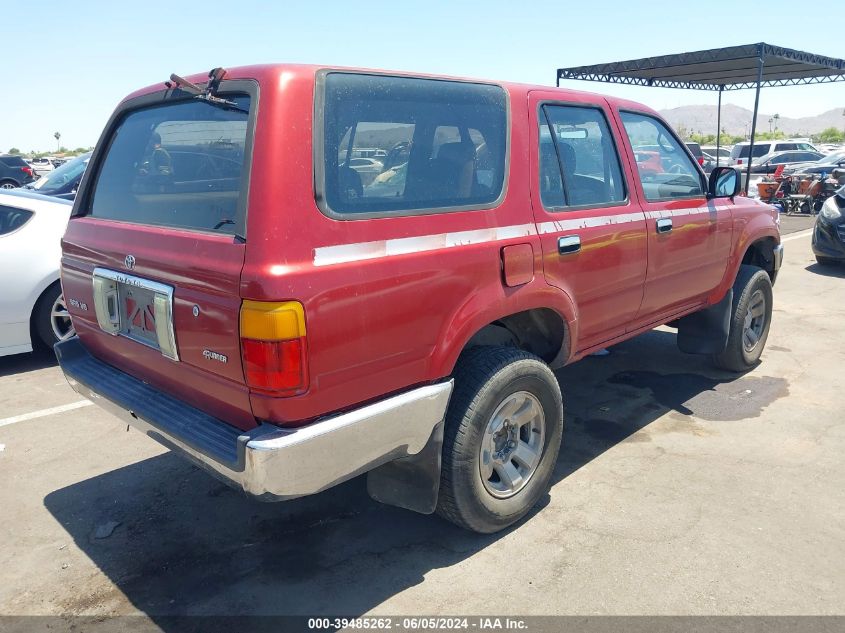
[(486, 377)]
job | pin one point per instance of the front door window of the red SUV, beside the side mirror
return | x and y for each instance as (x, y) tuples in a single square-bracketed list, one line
[(665, 169)]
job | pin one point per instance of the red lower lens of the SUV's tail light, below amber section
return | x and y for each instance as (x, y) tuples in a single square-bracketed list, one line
[(277, 366)]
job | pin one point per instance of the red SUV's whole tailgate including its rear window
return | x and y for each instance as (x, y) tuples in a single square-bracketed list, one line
[(152, 258)]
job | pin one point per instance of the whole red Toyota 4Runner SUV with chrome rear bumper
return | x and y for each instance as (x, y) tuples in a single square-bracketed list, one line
[(408, 332)]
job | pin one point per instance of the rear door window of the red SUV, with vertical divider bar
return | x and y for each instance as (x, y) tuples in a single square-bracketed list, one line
[(579, 165)]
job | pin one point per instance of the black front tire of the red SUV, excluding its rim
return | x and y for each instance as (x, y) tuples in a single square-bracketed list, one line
[(737, 356)]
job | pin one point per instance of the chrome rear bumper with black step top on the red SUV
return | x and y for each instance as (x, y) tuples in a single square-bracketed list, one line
[(269, 462)]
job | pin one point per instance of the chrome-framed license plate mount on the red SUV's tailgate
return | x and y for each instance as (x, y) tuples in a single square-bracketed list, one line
[(137, 308)]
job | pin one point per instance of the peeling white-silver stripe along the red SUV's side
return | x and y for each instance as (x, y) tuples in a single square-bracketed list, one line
[(344, 253)]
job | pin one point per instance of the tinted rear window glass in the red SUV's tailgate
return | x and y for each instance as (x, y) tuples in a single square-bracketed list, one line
[(179, 165)]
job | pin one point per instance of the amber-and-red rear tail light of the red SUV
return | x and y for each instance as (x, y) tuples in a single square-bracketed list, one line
[(274, 347)]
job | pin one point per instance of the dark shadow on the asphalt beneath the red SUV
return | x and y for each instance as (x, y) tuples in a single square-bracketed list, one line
[(187, 544)]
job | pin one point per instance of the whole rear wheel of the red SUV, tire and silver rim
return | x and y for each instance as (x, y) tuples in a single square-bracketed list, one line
[(501, 438)]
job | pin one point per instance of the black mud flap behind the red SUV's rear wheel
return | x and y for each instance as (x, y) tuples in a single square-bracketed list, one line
[(411, 482)]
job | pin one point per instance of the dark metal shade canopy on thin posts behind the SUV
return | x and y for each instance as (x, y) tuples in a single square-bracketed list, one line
[(718, 69)]
